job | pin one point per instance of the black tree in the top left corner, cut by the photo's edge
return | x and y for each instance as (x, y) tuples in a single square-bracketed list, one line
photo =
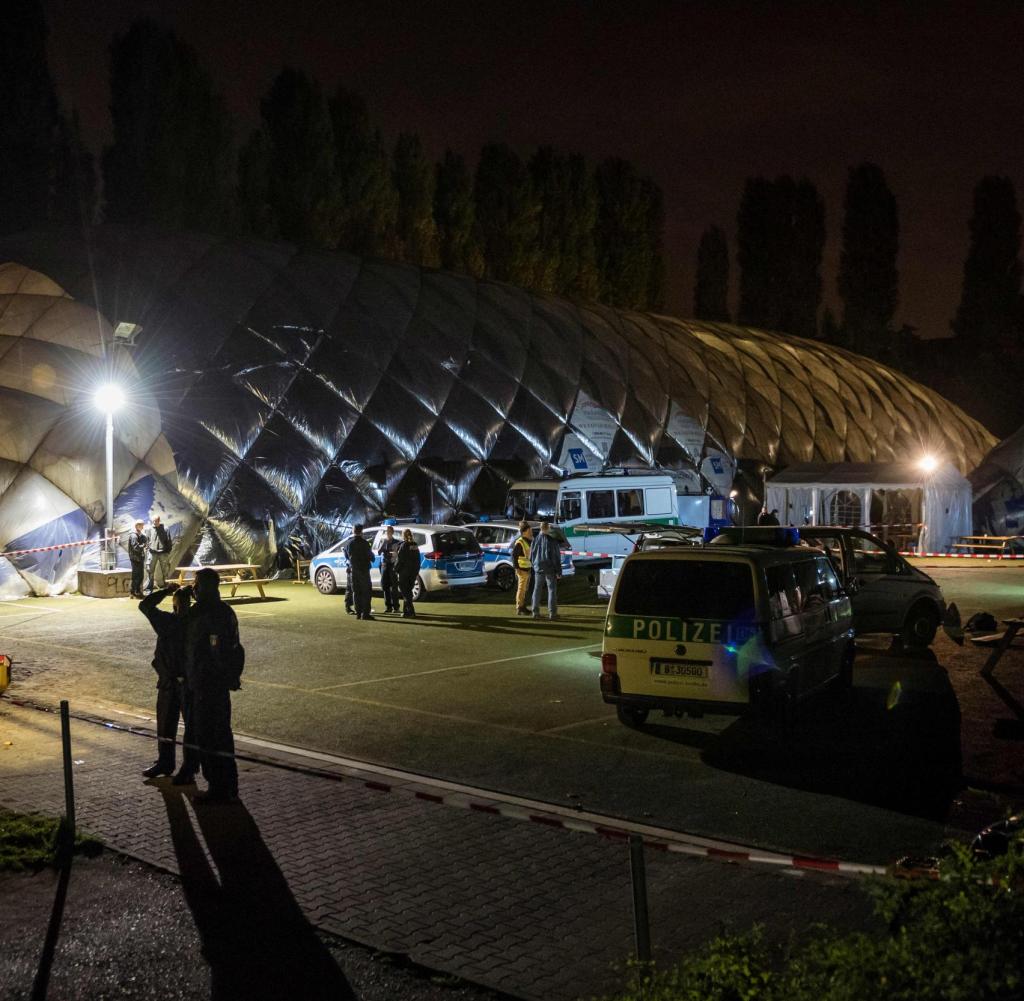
[(29, 120)]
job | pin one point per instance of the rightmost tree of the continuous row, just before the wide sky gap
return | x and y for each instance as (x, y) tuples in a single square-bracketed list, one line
[(628, 237)]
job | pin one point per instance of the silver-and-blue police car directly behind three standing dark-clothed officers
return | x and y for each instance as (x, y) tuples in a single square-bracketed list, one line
[(450, 557)]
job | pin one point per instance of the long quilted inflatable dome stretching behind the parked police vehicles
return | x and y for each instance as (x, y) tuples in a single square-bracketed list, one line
[(302, 390)]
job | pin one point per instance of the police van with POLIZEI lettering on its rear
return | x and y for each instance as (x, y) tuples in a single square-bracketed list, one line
[(724, 630)]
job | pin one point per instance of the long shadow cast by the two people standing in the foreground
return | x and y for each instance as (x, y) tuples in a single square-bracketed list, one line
[(257, 940)]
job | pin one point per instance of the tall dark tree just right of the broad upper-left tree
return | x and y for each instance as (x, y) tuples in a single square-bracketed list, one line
[(298, 147)]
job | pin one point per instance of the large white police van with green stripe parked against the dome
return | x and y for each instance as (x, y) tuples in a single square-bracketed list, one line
[(578, 502)]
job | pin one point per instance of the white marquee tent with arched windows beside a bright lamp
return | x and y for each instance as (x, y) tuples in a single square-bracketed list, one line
[(933, 506)]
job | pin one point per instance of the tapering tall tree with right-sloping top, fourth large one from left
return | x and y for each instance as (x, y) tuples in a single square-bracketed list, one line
[(369, 199)]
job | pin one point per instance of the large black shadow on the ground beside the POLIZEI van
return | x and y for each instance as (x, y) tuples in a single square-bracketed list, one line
[(893, 742)]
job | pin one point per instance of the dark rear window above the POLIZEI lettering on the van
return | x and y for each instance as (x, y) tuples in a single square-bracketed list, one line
[(687, 589)]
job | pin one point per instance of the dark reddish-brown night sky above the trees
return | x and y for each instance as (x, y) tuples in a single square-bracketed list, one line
[(699, 96)]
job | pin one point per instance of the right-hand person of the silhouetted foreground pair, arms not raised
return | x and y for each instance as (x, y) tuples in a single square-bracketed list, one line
[(215, 660)]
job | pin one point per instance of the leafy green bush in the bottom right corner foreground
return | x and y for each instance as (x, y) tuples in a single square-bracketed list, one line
[(957, 939)]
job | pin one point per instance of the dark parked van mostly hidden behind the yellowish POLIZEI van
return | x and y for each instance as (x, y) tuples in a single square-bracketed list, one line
[(889, 595)]
